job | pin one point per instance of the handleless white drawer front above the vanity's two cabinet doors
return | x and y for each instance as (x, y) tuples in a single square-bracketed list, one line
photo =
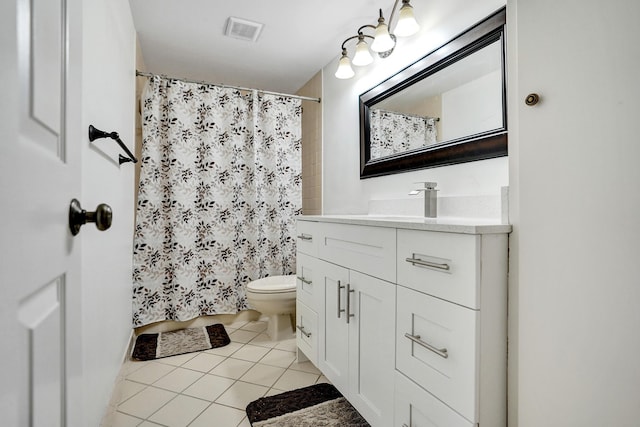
[(369, 250)]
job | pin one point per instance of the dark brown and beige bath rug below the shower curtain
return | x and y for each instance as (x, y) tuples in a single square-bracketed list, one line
[(165, 344)]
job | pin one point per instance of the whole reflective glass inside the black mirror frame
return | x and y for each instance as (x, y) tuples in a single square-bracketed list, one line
[(463, 99)]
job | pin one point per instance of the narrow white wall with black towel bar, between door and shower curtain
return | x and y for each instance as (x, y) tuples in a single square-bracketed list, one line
[(108, 103)]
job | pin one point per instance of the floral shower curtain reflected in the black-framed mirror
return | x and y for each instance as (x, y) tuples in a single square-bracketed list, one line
[(393, 132)]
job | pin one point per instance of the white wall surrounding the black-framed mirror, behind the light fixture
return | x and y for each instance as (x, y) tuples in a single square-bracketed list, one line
[(343, 191)]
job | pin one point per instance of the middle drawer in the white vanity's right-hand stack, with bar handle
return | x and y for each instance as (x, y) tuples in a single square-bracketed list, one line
[(448, 369)]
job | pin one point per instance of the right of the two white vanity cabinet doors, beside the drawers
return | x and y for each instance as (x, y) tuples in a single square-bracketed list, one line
[(371, 347)]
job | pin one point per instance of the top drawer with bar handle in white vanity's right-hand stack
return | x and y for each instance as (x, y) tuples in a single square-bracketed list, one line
[(445, 265)]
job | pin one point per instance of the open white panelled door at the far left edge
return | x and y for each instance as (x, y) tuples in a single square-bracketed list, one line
[(39, 175)]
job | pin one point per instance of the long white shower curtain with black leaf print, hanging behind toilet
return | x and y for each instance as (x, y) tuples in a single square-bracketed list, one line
[(220, 186)]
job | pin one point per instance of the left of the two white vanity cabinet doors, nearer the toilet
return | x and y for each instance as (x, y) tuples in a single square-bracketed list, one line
[(333, 342)]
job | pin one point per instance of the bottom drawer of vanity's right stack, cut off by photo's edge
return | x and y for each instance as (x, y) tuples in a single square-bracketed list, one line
[(415, 407)]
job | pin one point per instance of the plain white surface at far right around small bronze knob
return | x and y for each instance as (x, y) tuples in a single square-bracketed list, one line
[(575, 249)]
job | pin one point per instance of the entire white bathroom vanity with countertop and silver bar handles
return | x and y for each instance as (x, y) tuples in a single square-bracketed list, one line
[(407, 317)]
